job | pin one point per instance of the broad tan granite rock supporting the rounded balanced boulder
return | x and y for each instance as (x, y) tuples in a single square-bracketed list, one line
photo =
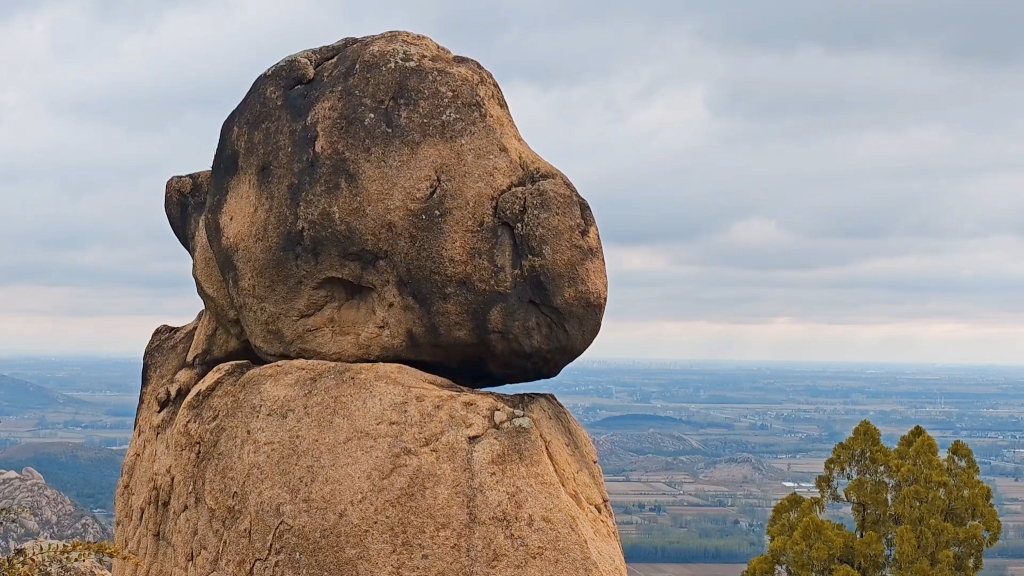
[(319, 468)]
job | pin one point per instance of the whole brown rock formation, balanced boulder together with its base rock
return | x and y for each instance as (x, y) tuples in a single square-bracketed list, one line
[(374, 241)]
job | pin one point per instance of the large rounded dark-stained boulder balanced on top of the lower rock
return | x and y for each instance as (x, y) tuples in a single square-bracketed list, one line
[(373, 201)]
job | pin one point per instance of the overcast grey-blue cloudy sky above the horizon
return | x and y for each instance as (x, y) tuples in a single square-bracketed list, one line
[(794, 180)]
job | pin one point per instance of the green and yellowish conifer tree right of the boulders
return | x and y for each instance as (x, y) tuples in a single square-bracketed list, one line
[(915, 513)]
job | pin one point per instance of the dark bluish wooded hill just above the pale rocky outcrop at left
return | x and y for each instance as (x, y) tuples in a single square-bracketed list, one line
[(88, 475)]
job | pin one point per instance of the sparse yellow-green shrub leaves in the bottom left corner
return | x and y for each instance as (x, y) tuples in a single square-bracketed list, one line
[(55, 559)]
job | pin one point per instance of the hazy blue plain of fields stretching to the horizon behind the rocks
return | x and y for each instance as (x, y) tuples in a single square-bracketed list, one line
[(695, 455)]
